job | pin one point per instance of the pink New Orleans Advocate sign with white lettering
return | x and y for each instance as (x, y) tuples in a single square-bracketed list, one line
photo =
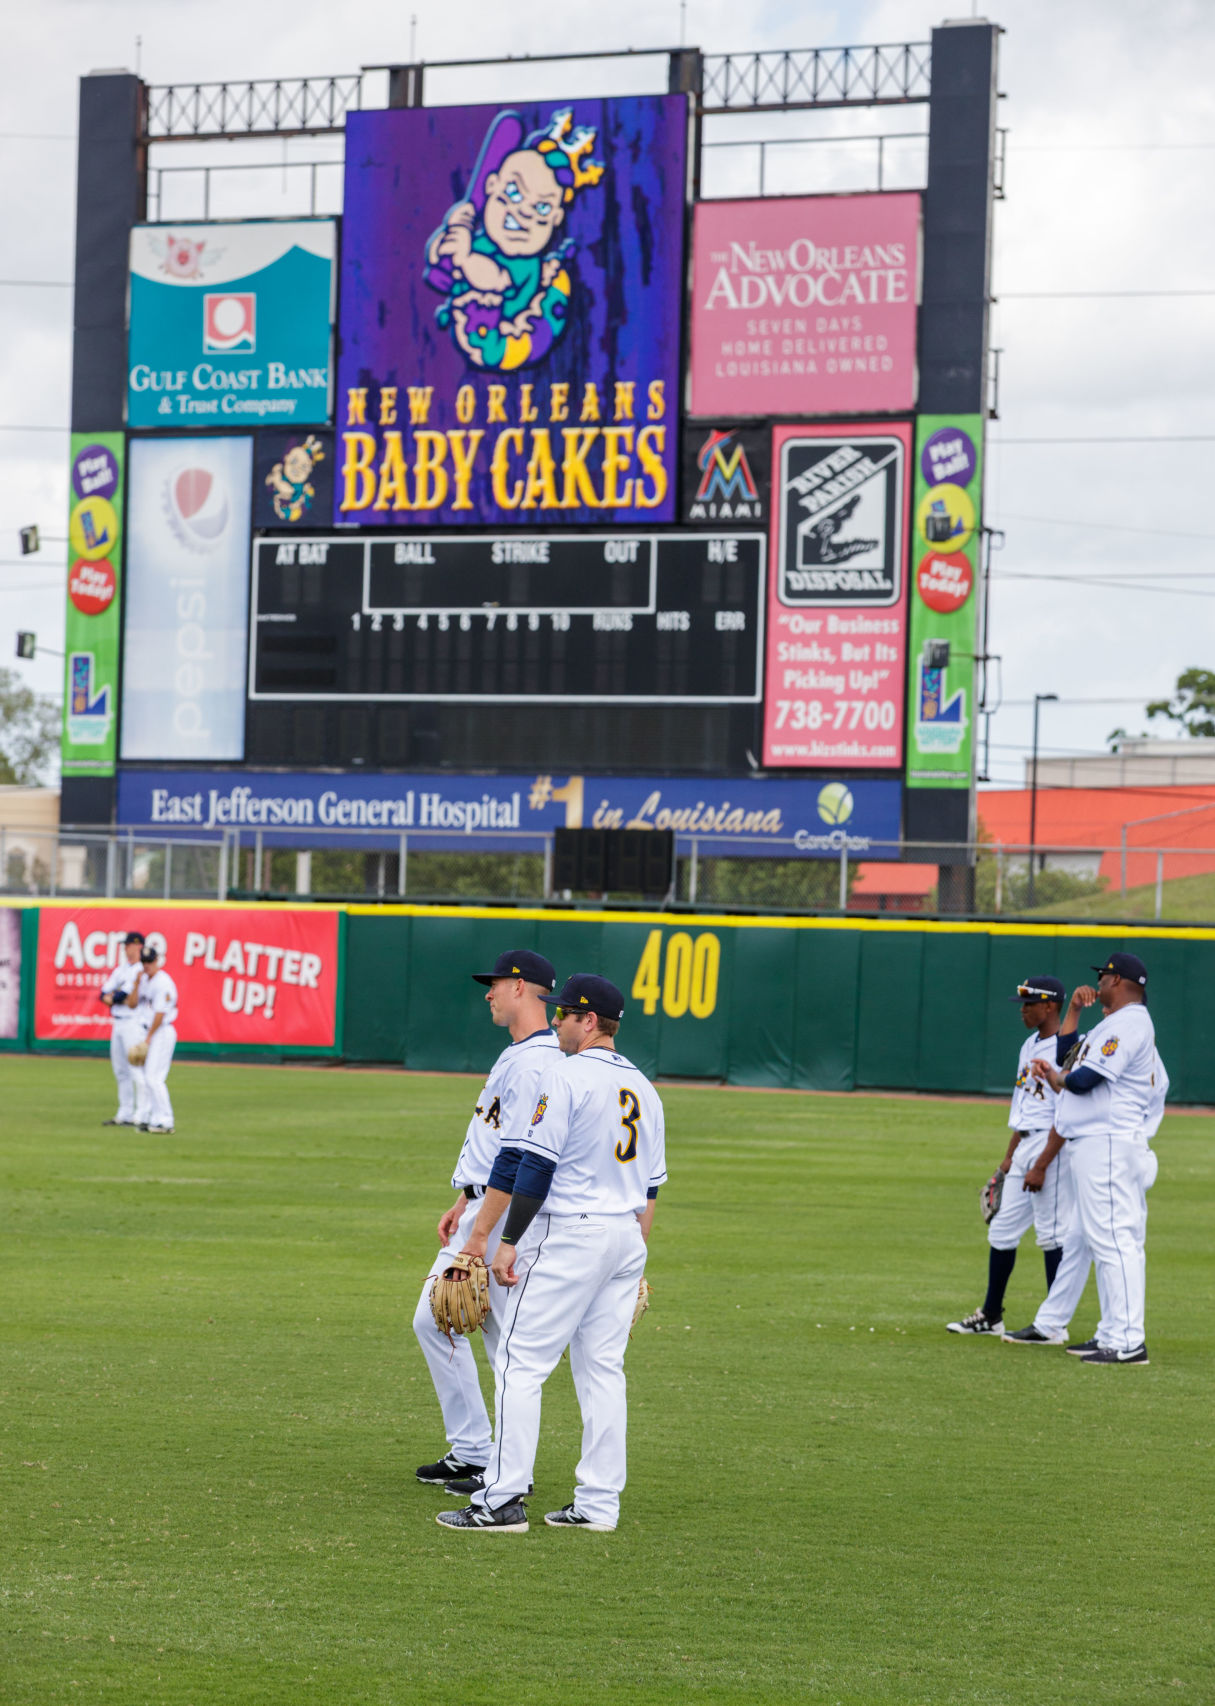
[(805, 306)]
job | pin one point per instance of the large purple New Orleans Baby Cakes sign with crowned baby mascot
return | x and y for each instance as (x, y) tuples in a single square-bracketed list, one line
[(511, 315)]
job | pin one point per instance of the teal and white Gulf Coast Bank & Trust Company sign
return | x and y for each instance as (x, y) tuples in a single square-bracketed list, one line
[(231, 323)]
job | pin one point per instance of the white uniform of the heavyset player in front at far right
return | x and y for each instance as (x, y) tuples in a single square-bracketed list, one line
[(1108, 1134)]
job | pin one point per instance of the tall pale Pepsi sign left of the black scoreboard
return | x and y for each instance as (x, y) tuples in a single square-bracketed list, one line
[(187, 600)]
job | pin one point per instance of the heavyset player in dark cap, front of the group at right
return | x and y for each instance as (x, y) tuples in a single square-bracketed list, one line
[(1110, 1108)]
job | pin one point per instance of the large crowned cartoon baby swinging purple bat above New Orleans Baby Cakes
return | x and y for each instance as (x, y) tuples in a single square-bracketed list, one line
[(496, 257)]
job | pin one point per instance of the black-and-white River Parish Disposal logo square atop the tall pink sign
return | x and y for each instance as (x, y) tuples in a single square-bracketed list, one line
[(842, 521)]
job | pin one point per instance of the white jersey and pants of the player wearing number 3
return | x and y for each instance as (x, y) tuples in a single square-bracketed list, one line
[(579, 1265)]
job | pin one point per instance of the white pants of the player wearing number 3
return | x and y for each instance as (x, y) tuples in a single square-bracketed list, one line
[(578, 1287)]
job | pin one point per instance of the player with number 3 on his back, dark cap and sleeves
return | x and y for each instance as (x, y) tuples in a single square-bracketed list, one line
[(579, 1193)]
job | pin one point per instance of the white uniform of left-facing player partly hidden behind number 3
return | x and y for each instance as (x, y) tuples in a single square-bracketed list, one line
[(501, 1117)]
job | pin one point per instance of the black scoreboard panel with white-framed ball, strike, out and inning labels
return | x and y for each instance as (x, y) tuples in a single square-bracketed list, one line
[(624, 618)]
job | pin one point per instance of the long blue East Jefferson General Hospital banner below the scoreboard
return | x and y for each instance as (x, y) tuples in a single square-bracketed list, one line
[(762, 818)]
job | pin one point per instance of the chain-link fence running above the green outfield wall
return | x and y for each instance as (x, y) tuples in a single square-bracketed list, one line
[(984, 879)]
